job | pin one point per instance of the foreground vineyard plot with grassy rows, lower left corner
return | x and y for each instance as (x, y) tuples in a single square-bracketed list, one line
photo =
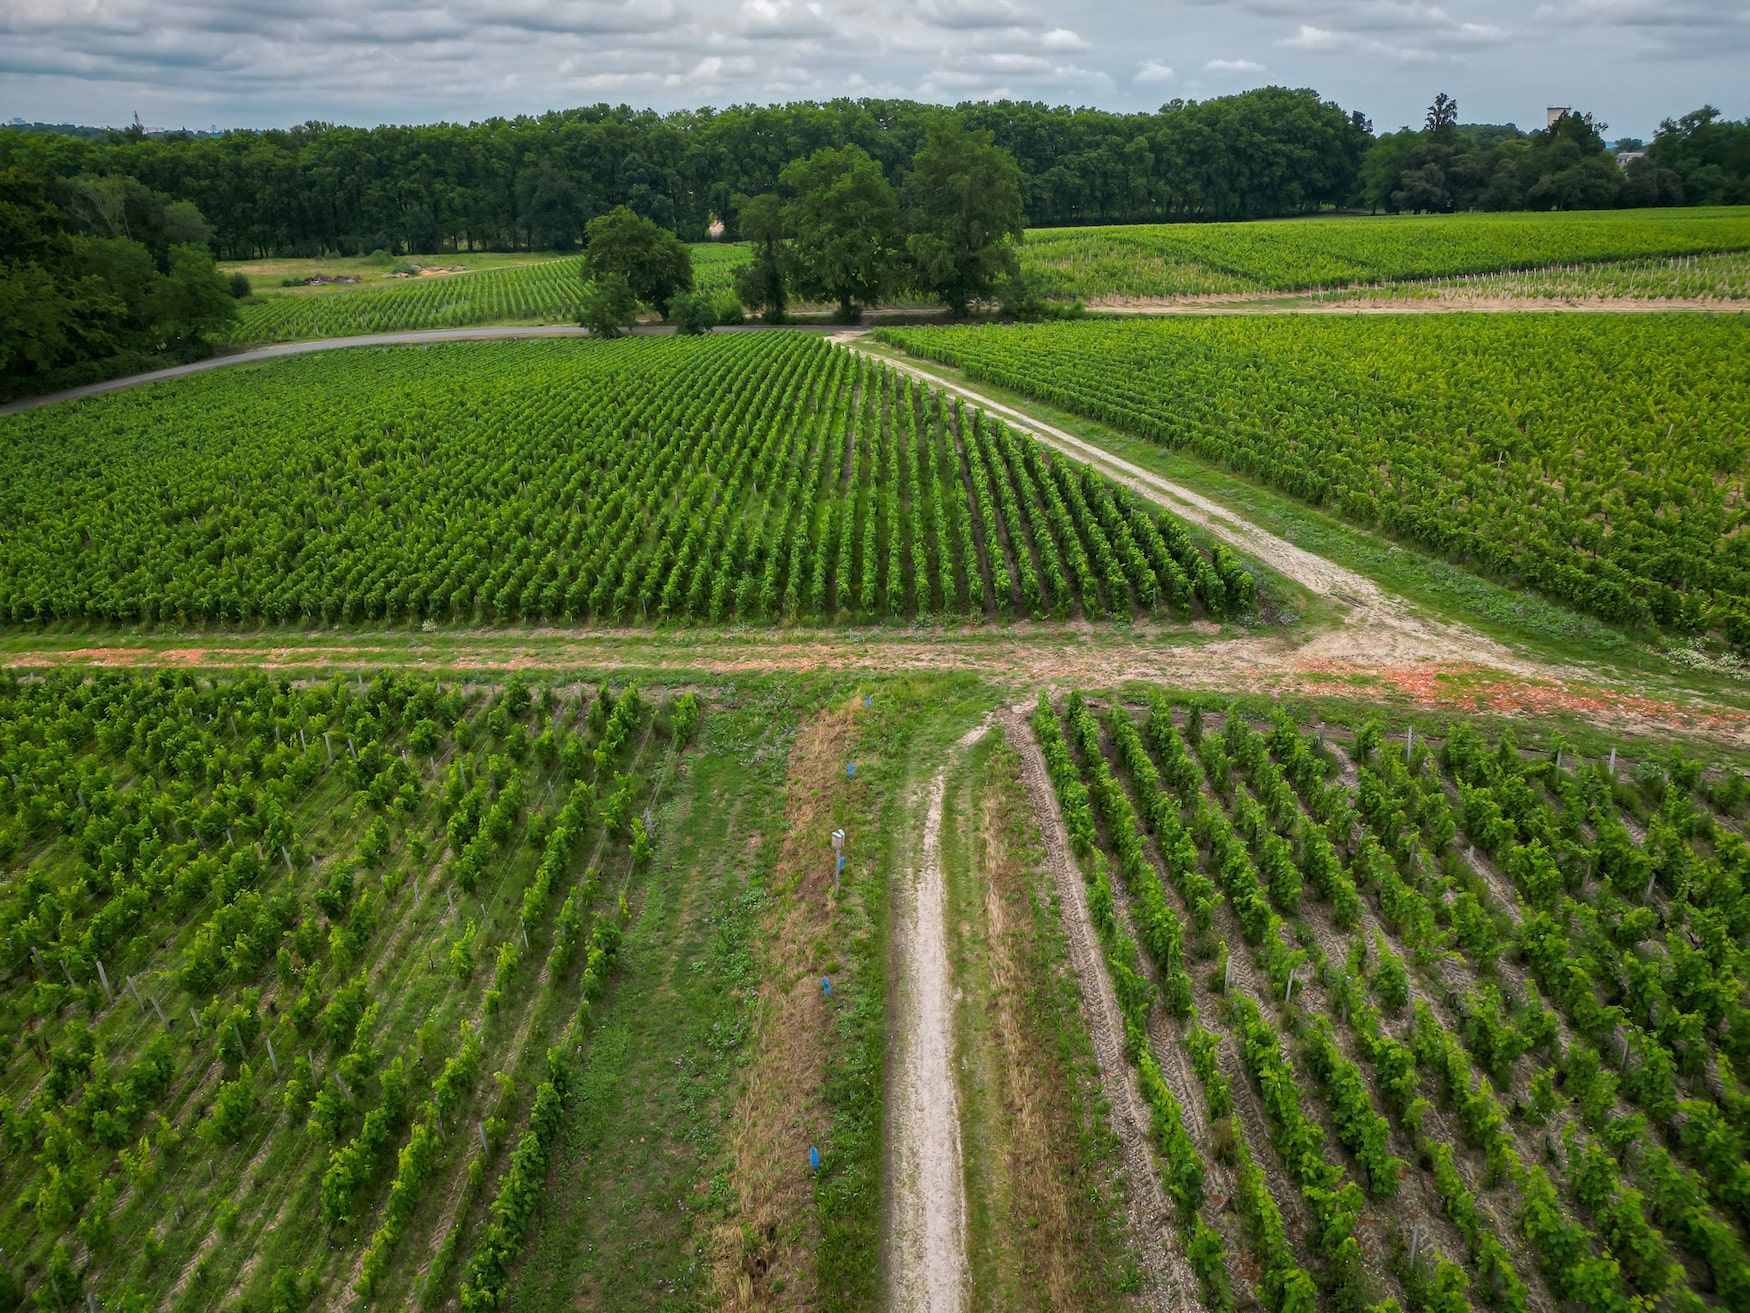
[(297, 978)]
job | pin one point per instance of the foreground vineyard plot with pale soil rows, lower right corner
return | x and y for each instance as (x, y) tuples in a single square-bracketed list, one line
[(1434, 1018)]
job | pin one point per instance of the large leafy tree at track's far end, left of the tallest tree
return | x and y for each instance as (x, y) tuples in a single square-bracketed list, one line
[(844, 223)]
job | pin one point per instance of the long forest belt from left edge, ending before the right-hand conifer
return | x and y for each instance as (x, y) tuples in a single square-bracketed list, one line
[(535, 183)]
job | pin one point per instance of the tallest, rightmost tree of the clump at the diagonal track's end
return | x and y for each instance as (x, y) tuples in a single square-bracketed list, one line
[(962, 214)]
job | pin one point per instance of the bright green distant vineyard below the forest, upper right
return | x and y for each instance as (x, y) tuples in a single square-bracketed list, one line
[(1301, 255)]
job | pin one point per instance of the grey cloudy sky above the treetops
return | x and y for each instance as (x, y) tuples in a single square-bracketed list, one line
[(279, 62)]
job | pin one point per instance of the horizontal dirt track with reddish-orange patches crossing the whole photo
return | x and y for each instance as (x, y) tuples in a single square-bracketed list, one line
[(1019, 657)]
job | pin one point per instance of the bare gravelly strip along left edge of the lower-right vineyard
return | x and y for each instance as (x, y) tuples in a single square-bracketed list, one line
[(1166, 1275)]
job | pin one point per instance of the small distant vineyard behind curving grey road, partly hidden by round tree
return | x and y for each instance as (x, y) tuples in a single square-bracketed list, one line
[(538, 293)]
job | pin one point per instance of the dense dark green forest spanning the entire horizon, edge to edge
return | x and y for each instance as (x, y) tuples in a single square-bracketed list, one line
[(538, 181)]
